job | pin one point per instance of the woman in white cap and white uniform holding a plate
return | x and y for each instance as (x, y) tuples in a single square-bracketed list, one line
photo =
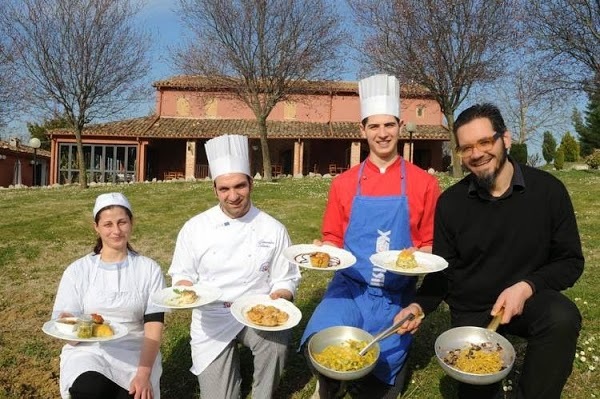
[(115, 282)]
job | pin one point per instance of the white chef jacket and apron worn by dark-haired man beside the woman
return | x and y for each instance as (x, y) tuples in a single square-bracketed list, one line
[(240, 256)]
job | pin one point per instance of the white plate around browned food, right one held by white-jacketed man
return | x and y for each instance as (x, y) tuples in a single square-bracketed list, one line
[(242, 305)]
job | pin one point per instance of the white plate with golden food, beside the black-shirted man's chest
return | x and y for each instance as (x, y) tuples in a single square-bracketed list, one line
[(409, 263)]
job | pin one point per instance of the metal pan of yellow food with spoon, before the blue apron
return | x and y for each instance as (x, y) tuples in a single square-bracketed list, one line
[(334, 352)]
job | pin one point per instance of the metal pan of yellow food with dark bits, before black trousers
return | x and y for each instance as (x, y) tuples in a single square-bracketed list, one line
[(475, 355)]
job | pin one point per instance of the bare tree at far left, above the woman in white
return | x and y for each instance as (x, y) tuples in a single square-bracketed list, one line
[(85, 57)]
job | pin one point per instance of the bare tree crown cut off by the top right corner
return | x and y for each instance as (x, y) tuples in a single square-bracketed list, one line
[(568, 31)]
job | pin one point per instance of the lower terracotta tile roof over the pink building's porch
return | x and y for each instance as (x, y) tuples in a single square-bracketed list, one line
[(184, 128)]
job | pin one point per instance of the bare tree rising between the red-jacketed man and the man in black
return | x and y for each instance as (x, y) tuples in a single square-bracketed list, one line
[(447, 46)]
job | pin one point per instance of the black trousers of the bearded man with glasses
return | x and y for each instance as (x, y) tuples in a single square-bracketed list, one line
[(550, 323)]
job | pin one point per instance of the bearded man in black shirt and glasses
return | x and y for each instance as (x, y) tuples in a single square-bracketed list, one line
[(509, 234)]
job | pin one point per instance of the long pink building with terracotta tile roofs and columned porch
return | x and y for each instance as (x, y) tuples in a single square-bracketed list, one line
[(316, 130)]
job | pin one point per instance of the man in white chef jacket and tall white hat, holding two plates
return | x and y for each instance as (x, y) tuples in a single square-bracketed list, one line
[(237, 248)]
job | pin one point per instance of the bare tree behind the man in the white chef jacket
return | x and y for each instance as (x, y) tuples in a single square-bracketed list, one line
[(262, 50)]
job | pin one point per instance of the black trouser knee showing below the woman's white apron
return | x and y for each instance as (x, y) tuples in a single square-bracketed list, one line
[(93, 385)]
